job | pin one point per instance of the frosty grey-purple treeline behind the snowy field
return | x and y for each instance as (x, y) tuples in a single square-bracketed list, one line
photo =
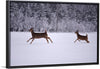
[(53, 17)]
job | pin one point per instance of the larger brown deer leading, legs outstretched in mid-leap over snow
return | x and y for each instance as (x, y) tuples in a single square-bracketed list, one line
[(39, 35)]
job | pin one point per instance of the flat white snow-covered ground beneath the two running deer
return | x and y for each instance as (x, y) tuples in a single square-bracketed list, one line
[(63, 50)]
